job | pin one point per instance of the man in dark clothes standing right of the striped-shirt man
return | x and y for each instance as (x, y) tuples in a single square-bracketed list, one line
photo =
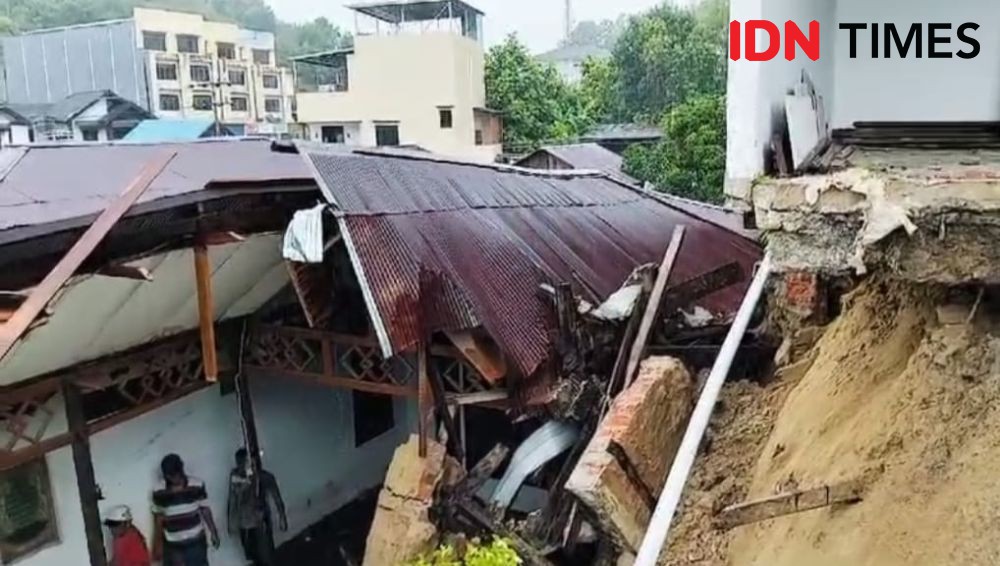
[(249, 511)]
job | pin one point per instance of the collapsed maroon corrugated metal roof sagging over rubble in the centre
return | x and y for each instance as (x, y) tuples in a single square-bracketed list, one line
[(441, 245)]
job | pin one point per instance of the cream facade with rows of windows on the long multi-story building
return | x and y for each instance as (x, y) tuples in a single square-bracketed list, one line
[(256, 119)]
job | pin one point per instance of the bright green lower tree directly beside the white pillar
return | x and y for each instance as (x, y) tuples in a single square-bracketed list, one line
[(691, 160)]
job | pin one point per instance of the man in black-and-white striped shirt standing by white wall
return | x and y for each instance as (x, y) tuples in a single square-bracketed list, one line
[(181, 514)]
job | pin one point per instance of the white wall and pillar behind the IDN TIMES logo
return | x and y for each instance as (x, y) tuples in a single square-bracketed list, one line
[(863, 88)]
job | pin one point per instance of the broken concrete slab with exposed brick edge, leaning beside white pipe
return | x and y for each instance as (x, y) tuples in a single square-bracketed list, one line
[(647, 421)]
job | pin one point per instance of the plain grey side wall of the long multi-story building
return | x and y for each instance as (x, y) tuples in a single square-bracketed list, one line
[(47, 66)]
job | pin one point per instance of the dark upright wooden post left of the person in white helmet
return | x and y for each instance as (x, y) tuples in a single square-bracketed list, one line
[(85, 479)]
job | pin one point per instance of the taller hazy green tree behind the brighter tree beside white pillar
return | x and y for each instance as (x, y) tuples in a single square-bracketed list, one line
[(665, 57)]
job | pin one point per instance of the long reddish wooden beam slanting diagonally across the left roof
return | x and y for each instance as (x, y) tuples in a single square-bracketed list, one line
[(40, 296)]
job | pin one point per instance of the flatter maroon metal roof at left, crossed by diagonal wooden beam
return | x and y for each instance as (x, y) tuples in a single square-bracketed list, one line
[(59, 187)]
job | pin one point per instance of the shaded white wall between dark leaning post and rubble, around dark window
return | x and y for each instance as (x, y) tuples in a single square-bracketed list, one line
[(307, 436)]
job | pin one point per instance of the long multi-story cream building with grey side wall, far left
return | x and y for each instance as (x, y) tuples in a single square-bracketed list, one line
[(175, 64)]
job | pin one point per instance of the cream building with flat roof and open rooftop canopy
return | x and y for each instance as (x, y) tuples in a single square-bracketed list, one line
[(414, 77)]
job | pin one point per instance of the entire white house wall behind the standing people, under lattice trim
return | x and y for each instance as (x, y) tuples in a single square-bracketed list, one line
[(306, 435)]
